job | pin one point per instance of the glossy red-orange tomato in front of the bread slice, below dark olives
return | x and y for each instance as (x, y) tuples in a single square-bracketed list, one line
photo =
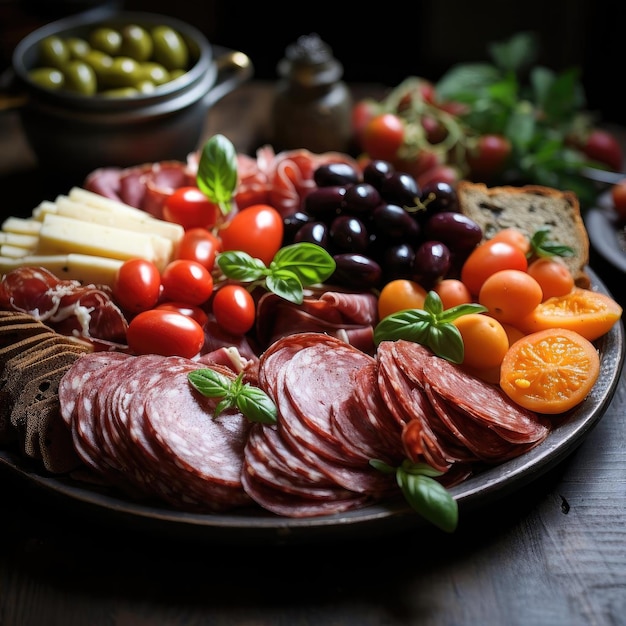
[(489, 258)]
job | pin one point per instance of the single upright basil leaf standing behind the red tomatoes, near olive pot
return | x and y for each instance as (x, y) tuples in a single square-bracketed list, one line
[(217, 172)]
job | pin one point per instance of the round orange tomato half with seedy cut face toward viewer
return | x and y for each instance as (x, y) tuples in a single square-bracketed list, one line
[(550, 371)]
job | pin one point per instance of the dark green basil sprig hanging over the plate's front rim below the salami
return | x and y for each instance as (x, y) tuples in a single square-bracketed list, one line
[(424, 494)]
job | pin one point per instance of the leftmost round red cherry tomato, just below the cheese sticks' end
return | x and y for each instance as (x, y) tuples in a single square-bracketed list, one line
[(137, 285)]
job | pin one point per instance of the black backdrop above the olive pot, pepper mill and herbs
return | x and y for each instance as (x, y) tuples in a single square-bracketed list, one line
[(391, 40)]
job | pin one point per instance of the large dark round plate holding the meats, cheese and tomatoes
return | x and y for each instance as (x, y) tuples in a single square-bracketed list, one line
[(254, 526)]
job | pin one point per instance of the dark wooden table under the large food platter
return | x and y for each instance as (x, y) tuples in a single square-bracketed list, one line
[(551, 553)]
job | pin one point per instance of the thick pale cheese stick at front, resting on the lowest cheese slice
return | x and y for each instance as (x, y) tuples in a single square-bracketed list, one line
[(63, 235)]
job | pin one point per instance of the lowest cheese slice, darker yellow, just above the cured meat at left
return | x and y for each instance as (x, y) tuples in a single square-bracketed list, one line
[(87, 269)]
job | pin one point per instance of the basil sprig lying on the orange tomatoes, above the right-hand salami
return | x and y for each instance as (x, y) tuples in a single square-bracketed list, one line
[(431, 326)]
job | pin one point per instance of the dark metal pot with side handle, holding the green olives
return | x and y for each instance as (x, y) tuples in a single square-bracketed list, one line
[(74, 134)]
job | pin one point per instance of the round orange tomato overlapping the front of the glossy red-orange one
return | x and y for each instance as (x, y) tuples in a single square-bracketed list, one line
[(510, 295)]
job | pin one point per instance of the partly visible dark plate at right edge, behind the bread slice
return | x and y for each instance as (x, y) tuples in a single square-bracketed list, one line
[(607, 235)]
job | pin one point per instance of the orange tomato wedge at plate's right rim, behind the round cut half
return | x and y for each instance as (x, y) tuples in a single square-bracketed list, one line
[(589, 313)]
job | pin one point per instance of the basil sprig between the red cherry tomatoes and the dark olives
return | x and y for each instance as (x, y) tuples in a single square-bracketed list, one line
[(292, 268)]
